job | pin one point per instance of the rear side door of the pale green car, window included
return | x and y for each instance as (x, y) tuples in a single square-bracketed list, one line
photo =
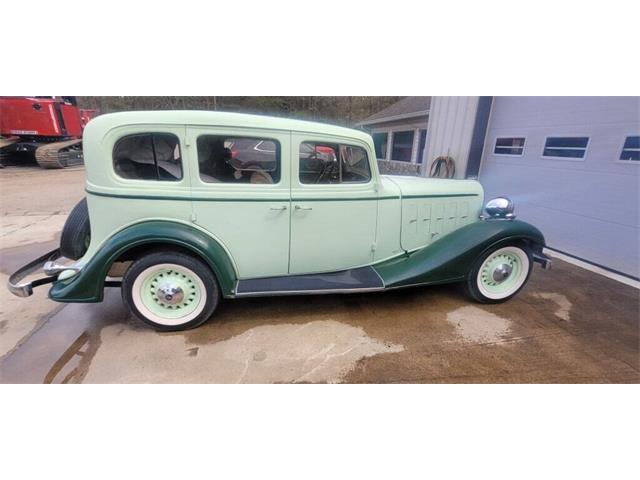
[(241, 194)]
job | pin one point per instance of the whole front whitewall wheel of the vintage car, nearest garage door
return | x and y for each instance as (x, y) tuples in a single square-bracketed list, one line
[(500, 274)]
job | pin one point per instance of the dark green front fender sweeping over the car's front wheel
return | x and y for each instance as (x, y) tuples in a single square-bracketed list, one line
[(451, 258)]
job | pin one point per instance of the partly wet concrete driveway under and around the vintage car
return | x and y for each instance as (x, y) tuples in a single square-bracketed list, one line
[(568, 324)]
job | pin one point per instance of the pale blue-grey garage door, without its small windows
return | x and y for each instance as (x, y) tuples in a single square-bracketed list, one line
[(588, 208)]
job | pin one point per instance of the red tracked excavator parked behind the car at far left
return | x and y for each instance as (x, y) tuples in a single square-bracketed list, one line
[(49, 128)]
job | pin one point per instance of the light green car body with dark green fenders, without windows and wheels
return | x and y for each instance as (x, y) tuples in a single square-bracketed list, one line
[(283, 229)]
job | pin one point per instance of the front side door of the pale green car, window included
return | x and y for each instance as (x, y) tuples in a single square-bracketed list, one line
[(334, 204)]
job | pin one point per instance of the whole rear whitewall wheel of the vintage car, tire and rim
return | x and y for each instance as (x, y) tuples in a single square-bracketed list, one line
[(170, 291)]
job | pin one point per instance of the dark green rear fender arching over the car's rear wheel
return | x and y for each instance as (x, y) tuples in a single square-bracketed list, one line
[(88, 285)]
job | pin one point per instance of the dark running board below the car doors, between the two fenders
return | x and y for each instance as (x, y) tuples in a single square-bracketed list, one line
[(364, 279)]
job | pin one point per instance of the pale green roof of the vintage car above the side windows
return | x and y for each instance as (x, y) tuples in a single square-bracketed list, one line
[(224, 119)]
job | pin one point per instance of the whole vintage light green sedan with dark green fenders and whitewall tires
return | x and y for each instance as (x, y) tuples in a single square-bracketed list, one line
[(186, 208)]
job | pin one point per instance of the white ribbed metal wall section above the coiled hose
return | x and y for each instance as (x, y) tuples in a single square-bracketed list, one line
[(451, 122)]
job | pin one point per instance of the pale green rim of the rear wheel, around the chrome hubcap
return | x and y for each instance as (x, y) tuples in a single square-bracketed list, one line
[(176, 277)]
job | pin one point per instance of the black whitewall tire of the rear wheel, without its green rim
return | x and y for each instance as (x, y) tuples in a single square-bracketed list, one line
[(140, 268)]
